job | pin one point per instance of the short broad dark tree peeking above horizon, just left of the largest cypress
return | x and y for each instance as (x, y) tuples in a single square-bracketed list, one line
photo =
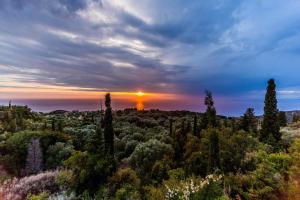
[(249, 122)]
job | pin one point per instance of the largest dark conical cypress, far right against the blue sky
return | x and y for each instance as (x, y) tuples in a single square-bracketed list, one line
[(270, 129)]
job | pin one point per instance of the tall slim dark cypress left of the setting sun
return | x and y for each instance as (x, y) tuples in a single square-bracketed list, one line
[(108, 128)]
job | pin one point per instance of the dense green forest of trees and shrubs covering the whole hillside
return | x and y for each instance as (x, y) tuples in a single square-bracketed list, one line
[(153, 154)]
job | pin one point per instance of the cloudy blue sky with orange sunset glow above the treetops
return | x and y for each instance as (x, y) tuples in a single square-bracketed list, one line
[(172, 50)]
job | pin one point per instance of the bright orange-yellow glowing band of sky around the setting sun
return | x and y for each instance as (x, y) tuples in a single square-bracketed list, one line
[(41, 91)]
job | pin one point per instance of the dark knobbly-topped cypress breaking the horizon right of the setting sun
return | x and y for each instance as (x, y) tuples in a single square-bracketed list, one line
[(210, 116)]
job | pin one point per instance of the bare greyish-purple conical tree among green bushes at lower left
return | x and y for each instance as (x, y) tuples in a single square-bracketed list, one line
[(34, 157)]
